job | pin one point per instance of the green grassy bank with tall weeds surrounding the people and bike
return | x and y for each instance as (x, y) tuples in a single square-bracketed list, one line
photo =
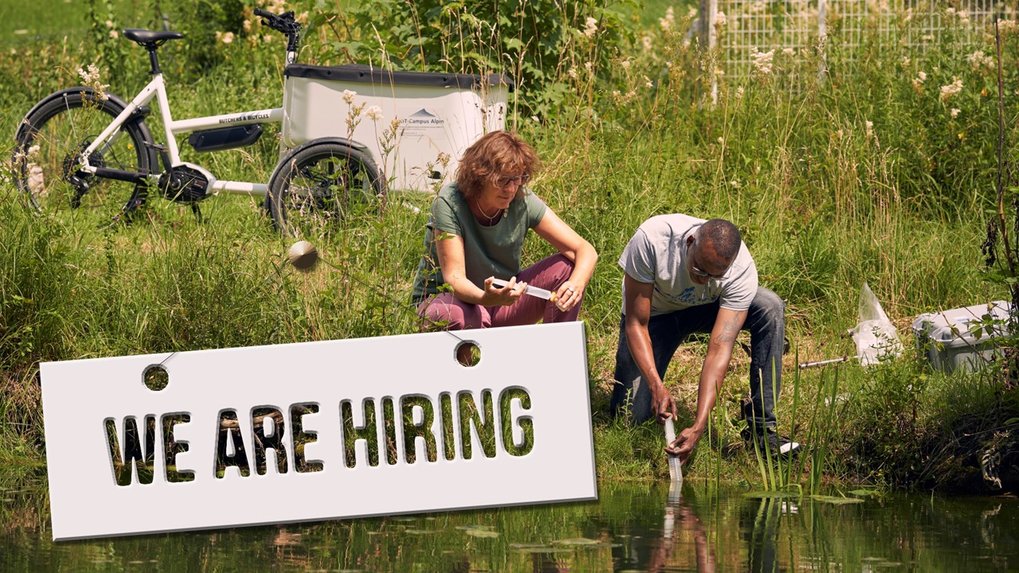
[(866, 177)]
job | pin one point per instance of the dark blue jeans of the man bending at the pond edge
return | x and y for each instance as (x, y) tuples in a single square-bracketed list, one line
[(767, 324)]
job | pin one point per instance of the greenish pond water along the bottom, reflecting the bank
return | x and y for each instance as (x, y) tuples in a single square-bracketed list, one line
[(632, 528)]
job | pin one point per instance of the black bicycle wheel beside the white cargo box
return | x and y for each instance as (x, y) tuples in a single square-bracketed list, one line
[(315, 189)]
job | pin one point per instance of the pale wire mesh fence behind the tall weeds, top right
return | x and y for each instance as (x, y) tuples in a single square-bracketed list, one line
[(744, 30)]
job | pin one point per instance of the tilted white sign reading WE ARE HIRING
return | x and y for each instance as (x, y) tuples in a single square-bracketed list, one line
[(317, 431)]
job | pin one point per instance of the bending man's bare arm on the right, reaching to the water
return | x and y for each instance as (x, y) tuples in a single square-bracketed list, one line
[(720, 351)]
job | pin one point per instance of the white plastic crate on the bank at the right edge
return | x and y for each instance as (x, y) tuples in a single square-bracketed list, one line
[(950, 341)]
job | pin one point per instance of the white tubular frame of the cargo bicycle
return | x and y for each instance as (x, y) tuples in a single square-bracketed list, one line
[(157, 89)]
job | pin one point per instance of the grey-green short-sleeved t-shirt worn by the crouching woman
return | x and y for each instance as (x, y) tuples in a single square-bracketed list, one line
[(489, 251)]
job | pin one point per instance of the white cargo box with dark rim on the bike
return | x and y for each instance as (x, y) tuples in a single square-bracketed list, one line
[(440, 116)]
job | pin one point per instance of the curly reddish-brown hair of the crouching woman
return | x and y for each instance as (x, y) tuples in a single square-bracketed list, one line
[(496, 155)]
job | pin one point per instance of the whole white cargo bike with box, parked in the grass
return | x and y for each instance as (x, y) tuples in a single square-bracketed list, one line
[(86, 150)]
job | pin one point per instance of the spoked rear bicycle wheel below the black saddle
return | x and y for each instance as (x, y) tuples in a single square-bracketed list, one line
[(47, 158)]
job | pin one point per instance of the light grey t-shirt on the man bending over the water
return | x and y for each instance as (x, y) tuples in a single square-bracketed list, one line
[(658, 254)]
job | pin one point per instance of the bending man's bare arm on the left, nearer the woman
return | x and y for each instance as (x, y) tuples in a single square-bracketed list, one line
[(637, 307)]
